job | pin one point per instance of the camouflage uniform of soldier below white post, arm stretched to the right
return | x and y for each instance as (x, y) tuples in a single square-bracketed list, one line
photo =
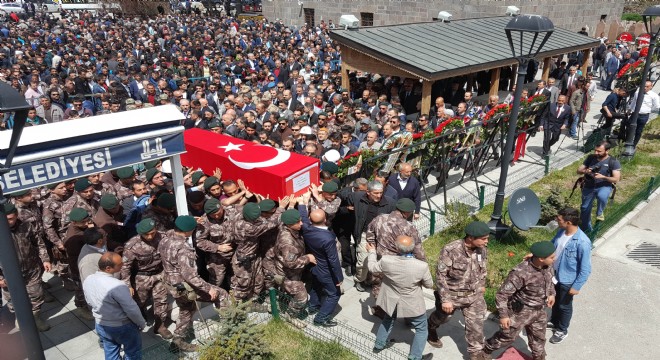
[(178, 260)]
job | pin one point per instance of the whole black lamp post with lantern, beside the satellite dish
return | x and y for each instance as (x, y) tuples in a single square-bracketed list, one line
[(531, 32)]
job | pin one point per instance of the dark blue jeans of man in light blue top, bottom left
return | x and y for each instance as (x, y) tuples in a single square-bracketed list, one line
[(114, 337)]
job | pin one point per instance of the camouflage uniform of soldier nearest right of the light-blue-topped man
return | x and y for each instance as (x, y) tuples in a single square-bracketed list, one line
[(142, 267)]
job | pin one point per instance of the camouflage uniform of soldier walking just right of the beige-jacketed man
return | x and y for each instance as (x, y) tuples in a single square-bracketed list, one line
[(460, 275)]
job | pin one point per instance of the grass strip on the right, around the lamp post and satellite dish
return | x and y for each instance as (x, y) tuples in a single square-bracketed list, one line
[(508, 252)]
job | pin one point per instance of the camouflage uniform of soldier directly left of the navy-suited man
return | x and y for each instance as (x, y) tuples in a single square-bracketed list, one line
[(290, 261)]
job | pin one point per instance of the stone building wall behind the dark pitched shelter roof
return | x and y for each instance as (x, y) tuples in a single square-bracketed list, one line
[(568, 14)]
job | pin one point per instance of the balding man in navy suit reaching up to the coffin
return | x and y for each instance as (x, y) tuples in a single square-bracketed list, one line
[(326, 275)]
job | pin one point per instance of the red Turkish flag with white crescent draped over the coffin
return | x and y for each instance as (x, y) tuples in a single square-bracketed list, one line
[(268, 171)]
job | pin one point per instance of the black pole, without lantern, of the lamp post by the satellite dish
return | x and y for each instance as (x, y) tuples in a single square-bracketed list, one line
[(495, 218)]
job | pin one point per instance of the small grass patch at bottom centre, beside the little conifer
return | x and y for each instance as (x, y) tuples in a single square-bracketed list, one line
[(287, 343)]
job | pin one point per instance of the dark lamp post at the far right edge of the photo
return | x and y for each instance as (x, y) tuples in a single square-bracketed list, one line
[(649, 15)]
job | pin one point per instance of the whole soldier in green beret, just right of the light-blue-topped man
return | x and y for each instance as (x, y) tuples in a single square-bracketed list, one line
[(142, 272)]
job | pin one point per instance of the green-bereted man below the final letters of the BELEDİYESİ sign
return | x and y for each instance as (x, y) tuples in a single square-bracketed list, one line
[(109, 219)]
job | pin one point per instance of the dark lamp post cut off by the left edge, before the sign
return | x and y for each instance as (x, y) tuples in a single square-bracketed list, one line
[(12, 101)]
